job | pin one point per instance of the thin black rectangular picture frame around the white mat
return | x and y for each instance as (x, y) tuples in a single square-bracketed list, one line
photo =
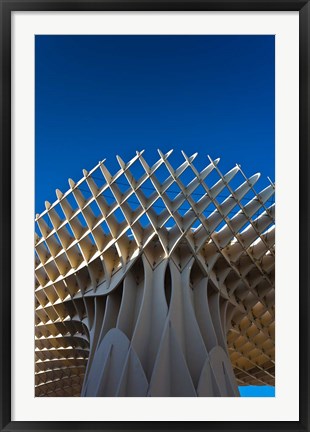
[(6, 8)]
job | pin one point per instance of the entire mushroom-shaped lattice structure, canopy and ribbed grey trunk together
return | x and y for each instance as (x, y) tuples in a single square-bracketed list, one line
[(147, 285)]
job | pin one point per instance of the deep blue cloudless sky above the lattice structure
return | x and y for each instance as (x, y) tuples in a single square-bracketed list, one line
[(98, 96)]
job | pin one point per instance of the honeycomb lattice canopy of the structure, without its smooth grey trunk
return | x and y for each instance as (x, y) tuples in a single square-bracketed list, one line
[(106, 227)]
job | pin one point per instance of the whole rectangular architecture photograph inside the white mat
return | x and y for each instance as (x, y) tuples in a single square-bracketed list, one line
[(154, 219)]
